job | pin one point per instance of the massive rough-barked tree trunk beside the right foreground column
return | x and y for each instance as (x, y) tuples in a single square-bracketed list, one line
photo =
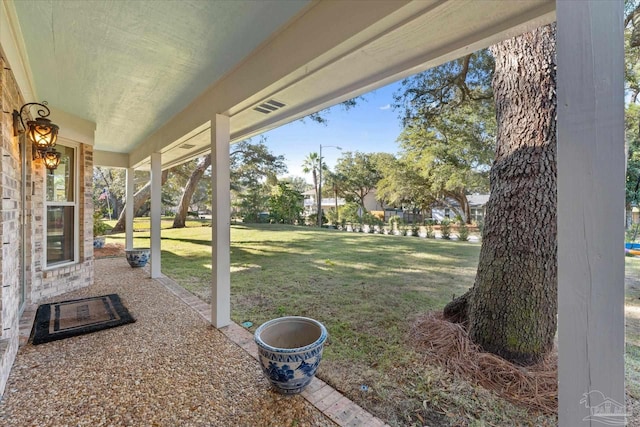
[(512, 306)]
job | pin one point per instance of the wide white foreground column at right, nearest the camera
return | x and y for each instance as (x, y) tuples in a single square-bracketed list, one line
[(591, 182)]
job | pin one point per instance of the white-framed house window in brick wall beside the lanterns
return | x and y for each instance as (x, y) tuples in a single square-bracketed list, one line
[(62, 210)]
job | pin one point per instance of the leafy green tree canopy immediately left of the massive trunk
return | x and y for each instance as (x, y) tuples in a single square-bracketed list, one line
[(449, 130)]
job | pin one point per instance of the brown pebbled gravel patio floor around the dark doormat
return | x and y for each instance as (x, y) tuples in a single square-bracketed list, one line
[(169, 368)]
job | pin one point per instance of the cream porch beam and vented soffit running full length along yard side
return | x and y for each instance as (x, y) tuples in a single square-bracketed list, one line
[(408, 39)]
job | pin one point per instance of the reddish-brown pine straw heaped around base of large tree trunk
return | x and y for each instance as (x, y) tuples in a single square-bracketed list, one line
[(534, 387)]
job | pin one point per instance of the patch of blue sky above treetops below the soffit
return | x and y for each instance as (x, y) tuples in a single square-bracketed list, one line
[(371, 126)]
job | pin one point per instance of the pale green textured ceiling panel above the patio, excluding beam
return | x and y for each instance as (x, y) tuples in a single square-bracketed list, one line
[(129, 66)]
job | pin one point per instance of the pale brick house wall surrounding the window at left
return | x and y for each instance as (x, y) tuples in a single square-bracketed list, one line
[(35, 282)]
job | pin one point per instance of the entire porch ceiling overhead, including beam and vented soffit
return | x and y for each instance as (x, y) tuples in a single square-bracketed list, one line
[(152, 74)]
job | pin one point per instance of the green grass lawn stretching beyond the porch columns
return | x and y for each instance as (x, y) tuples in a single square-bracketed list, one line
[(367, 289)]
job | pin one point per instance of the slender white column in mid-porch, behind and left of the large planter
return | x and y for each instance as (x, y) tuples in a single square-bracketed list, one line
[(221, 223)]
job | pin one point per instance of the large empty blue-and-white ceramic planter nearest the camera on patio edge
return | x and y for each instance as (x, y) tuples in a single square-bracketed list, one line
[(290, 350)]
